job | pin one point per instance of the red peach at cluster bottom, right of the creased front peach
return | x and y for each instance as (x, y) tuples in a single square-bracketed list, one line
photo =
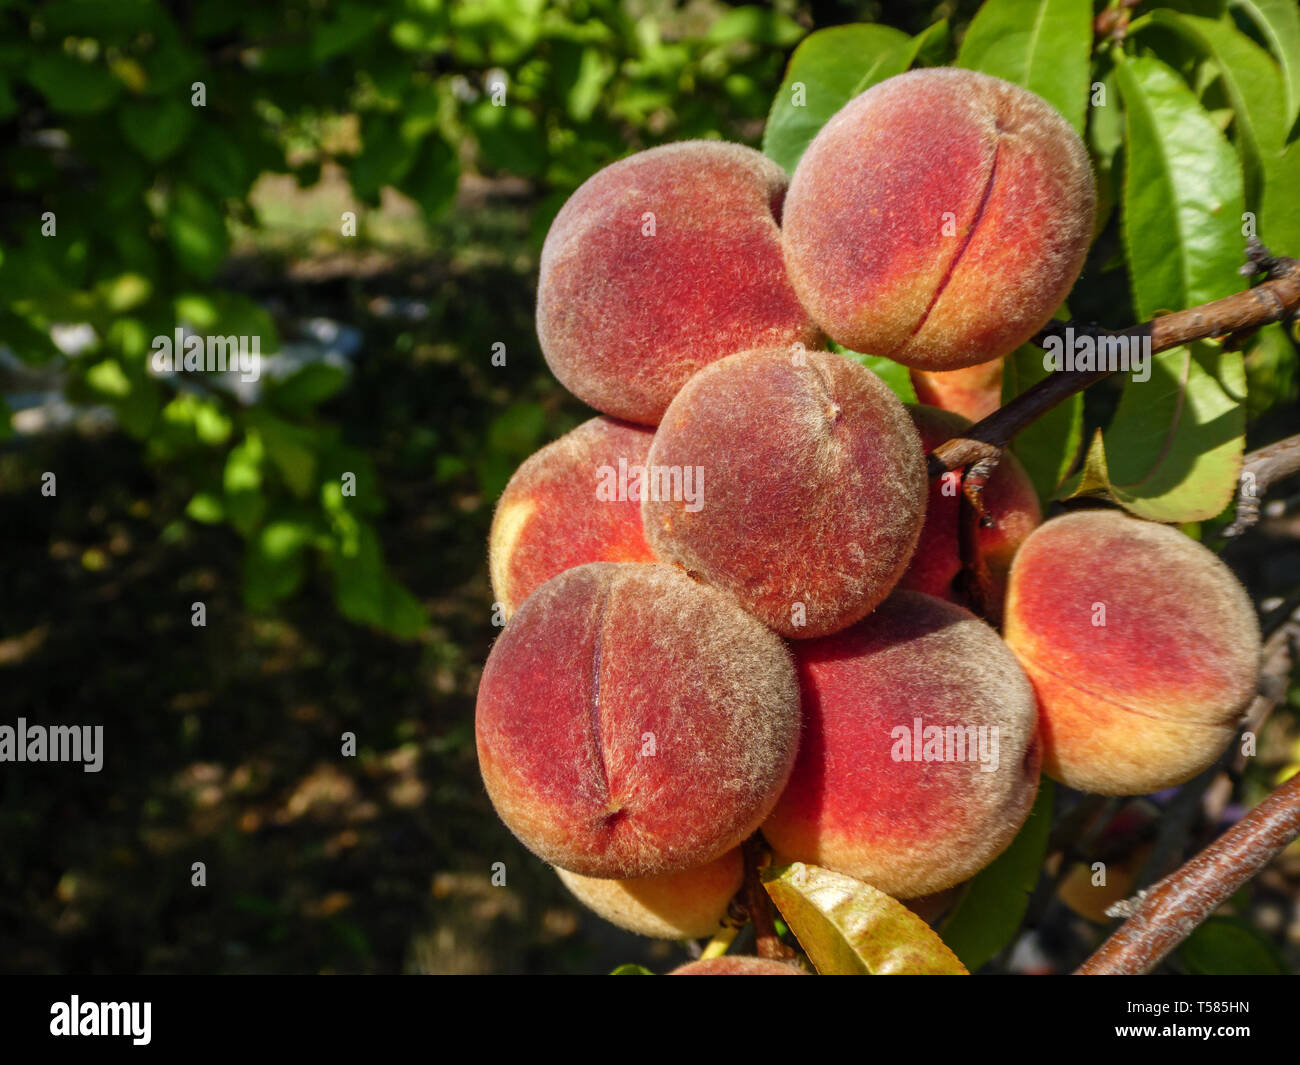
[(855, 803)]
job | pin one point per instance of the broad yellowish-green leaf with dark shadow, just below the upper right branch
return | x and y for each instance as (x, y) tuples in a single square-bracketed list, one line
[(1173, 451)]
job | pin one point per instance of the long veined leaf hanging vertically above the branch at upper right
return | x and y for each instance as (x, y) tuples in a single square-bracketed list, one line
[(1184, 197)]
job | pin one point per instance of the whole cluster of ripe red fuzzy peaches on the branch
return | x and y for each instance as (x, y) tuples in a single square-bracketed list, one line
[(735, 599)]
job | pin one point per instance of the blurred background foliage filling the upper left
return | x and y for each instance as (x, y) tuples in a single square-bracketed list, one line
[(135, 133)]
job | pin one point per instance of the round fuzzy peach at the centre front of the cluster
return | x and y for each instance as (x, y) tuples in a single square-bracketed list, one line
[(813, 487)]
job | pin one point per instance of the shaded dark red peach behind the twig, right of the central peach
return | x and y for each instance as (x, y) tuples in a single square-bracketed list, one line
[(1009, 499)]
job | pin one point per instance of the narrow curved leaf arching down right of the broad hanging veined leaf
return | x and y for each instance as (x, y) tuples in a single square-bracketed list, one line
[(1253, 81)]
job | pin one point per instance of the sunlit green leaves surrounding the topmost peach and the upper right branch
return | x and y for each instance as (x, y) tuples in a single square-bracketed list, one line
[(1189, 112)]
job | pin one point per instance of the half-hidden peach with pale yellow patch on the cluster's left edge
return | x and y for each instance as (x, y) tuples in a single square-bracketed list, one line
[(553, 517)]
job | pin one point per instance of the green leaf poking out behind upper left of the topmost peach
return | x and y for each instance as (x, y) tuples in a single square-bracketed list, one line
[(829, 70)]
